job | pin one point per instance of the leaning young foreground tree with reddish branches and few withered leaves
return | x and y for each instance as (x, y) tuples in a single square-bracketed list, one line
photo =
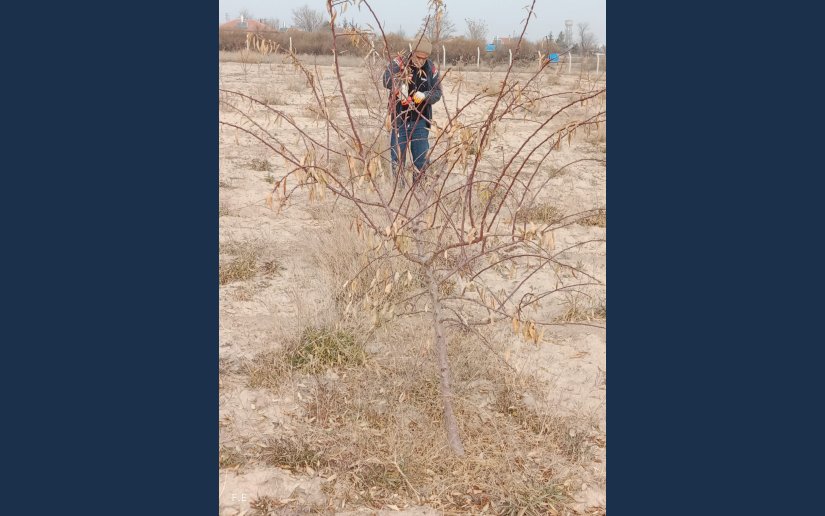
[(458, 250)]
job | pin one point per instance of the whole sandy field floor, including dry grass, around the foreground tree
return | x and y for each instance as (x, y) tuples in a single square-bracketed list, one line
[(281, 450)]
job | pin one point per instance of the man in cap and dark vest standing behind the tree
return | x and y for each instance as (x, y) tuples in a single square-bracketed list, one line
[(415, 86)]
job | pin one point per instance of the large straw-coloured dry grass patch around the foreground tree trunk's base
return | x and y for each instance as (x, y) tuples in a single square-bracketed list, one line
[(379, 431)]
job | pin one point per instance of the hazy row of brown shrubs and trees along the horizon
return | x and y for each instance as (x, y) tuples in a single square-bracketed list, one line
[(309, 37)]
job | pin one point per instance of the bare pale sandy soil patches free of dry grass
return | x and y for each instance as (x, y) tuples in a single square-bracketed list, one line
[(259, 313)]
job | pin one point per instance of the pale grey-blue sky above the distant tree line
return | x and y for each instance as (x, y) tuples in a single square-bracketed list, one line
[(408, 14)]
